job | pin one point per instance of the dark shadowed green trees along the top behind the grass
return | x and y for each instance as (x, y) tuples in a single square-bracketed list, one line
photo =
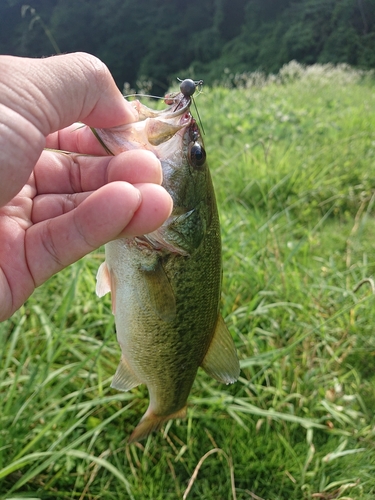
[(158, 40)]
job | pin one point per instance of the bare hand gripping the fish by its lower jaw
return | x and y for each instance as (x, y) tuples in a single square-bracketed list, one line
[(54, 207)]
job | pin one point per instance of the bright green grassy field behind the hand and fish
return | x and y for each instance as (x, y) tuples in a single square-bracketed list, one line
[(293, 162)]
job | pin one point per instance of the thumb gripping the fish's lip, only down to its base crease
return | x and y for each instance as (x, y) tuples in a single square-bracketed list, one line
[(57, 91)]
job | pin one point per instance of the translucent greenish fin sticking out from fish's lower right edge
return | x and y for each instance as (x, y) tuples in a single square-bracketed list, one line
[(221, 360)]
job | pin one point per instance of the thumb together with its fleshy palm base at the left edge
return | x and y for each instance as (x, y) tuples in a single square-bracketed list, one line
[(41, 96)]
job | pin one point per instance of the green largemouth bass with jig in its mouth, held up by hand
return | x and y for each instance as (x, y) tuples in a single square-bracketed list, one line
[(166, 285)]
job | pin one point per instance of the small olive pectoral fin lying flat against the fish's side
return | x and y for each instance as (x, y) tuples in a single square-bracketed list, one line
[(160, 292)]
